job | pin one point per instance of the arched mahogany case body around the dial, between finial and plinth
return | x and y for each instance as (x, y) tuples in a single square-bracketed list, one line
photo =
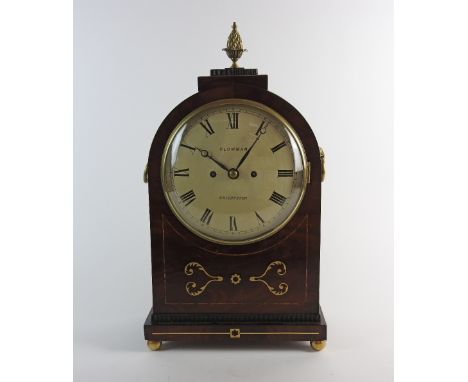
[(275, 280)]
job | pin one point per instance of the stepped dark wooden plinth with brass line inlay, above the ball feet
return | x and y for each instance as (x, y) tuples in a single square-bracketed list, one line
[(224, 332)]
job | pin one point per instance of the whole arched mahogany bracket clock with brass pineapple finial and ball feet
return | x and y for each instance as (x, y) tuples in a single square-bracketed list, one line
[(234, 178)]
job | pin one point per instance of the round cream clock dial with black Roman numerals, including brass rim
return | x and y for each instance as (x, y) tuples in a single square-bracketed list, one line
[(233, 172)]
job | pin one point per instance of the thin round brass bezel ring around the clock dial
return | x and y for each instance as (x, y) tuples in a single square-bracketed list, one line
[(229, 101)]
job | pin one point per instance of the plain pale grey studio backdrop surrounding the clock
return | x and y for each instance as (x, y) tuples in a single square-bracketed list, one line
[(332, 59)]
